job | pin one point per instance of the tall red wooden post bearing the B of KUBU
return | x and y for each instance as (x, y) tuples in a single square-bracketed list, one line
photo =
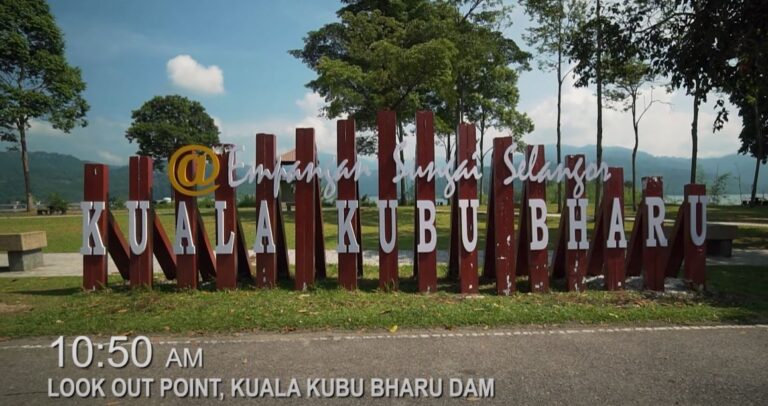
[(425, 264)]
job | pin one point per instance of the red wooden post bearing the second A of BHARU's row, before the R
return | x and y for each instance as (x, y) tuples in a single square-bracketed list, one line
[(613, 261)]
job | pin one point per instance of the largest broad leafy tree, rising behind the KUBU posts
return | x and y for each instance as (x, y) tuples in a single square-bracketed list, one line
[(411, 55)]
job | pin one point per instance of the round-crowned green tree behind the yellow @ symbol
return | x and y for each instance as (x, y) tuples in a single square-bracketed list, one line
[(165, 123)]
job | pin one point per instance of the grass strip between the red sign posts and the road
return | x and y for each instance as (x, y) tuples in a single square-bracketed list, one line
[(54, 306)]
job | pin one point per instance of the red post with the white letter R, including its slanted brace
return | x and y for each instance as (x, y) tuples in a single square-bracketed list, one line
[(647, 251)]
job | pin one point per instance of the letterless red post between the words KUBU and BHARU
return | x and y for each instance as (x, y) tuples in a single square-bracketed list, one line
[(499, 260)]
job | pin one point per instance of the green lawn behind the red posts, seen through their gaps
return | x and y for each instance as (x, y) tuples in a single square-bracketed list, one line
[(64, 232)]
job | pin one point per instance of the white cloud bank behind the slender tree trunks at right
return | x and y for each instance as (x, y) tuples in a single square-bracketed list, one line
[(665, 130)]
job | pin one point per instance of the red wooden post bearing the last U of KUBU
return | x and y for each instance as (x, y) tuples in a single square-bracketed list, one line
[(467, 190)]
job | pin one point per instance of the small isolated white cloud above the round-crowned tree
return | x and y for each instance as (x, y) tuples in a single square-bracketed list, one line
[(187, 73)]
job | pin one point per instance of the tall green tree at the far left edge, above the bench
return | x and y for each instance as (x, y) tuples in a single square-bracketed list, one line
[(36, 82)]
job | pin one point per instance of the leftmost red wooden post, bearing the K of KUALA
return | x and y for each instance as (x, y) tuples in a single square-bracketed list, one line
[(95, 192)]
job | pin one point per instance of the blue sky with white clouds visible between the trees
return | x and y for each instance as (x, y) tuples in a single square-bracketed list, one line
[(232, 57)]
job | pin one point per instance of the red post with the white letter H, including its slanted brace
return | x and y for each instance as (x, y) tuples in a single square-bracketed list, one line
[(569, 260)]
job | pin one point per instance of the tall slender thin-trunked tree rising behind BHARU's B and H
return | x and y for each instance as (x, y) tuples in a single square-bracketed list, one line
[(556, 22)]
